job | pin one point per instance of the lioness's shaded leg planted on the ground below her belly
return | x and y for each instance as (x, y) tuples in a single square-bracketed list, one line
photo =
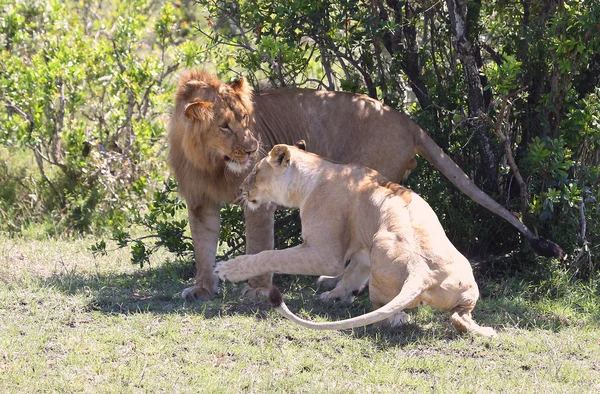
[(353, 280)]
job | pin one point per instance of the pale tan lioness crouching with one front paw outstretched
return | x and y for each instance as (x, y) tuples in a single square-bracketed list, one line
[(347, 210)]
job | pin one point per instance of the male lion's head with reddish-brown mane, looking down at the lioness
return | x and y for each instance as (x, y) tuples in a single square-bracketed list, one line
[(211, 120)]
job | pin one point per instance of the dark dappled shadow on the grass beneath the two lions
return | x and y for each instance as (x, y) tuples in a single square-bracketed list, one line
[(157, 290)]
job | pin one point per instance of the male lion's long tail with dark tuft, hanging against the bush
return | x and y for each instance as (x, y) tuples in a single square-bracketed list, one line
[(427, 148)]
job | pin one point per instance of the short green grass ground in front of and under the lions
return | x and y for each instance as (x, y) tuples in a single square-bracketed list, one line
[(70, 322)]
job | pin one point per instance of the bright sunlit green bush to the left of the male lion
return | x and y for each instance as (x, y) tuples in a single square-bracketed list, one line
[(86, 90)]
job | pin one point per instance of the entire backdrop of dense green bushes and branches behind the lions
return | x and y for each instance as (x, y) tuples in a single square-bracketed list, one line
[(509, 89)]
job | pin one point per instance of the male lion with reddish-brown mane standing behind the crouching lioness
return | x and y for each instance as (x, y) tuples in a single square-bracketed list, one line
[(215, 132)]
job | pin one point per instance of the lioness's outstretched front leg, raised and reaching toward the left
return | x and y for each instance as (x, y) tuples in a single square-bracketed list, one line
[(299, 260)]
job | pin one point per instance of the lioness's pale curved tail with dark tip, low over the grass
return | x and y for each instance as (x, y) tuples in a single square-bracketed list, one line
[(397, 304)]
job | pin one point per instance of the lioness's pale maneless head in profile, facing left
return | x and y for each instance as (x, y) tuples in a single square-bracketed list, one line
[(270, 179)]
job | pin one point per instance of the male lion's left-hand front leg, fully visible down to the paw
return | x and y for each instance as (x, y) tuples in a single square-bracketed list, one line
[(204, 224)]
